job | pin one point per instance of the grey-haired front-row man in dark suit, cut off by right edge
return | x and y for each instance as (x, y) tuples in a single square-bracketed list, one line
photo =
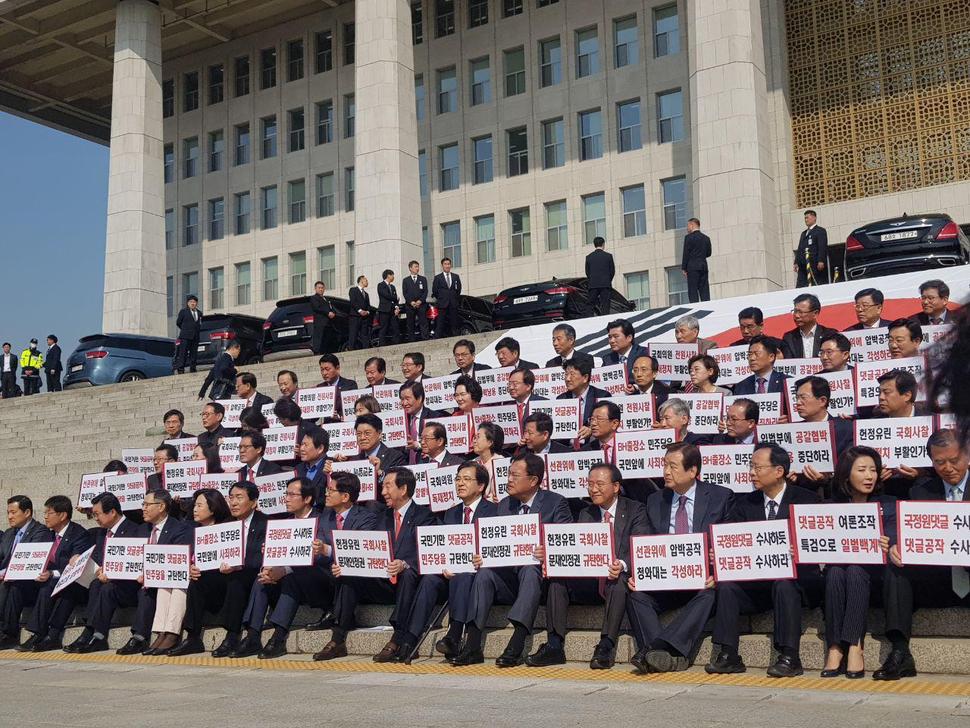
[(906, 588)]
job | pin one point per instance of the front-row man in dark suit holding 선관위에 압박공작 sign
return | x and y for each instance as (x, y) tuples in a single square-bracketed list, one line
[(685, 505)]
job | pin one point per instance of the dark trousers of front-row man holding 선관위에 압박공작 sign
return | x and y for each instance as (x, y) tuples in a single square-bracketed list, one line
[(683, 634)]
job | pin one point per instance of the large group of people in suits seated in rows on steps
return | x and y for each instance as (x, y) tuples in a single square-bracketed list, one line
[(251, 599)]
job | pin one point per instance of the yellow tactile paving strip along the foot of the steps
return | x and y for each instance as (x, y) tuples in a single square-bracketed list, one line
[(621, 674)]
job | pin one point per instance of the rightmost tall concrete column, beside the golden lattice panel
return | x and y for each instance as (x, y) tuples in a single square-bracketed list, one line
[(733, 170)]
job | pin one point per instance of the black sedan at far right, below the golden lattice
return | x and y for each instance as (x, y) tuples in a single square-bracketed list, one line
[(904, 244)]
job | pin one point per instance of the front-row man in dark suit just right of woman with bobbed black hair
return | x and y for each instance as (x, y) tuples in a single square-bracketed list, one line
[(227, 590)]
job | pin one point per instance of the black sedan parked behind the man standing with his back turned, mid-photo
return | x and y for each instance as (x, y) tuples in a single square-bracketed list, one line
[(560, 299)]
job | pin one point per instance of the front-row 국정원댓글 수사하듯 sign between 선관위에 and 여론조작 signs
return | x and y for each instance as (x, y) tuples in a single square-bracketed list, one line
[(752, 551)]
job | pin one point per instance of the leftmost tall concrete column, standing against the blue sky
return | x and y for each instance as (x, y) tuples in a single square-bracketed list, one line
[(134, 265)]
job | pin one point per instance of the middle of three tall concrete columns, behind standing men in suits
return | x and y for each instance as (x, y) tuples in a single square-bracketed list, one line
[(387, 226)]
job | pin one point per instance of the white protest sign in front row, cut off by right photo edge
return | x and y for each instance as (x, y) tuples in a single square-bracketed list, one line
[(934, 533)]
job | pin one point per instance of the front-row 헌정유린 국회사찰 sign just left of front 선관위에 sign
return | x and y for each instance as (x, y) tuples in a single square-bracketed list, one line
[(578, 549)]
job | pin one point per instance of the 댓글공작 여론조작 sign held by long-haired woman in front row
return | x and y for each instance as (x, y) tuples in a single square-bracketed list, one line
[(837, 533)]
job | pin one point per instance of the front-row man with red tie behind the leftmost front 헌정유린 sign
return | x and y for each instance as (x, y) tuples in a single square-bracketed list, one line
[(401, 520)]
